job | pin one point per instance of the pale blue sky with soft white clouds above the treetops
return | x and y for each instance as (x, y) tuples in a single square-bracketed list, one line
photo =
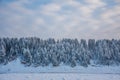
[(60, 18)]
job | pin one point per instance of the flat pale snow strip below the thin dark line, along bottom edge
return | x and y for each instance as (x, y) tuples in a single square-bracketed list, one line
[(59, 76)]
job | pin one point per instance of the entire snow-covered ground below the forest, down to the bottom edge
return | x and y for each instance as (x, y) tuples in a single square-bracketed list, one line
[(16, 71)]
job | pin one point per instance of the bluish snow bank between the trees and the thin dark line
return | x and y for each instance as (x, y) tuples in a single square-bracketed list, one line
[(16, 67)]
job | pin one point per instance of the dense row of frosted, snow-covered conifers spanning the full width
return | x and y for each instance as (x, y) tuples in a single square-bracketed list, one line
[(72, 52)]
